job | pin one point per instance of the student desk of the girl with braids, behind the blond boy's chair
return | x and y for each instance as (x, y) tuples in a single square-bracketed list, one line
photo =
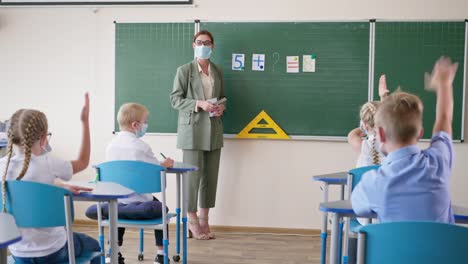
[(105, 192)]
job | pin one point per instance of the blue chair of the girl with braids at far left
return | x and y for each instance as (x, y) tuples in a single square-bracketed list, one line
[(38, 205)]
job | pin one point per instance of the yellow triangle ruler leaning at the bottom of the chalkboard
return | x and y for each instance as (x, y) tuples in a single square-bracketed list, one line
[(269, 123)]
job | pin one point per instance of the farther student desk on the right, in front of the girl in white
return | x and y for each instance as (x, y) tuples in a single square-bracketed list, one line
[(338, 178)]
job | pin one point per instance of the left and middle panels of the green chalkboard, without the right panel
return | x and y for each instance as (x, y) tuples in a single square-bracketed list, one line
[(321, 103)]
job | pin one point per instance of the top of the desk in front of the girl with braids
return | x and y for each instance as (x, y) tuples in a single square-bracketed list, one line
[(102, 190)]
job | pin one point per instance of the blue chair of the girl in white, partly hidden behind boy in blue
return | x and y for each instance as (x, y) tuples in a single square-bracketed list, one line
[(354, 177)]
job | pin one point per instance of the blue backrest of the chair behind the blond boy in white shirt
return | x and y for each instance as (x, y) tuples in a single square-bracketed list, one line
[(139, 176)]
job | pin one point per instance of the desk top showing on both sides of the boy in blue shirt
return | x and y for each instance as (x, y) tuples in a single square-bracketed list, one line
[(345, 208)]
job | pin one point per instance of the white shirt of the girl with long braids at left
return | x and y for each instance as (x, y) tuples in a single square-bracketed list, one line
[(39, 242)]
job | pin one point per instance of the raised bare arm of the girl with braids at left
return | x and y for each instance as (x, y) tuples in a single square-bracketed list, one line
[(83, 157)]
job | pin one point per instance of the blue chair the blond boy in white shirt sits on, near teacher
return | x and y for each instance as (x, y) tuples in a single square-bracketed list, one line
[(142, 178)]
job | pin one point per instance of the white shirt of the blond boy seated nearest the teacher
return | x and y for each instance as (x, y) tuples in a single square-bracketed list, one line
[(126, 146)]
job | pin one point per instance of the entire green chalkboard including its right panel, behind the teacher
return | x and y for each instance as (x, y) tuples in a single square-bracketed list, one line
[(320, 103)]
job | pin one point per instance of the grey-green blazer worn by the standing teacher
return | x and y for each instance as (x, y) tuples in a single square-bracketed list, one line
[(196, 130)]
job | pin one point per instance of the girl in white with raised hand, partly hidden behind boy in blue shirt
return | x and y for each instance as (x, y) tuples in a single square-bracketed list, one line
[(364, 139)]
